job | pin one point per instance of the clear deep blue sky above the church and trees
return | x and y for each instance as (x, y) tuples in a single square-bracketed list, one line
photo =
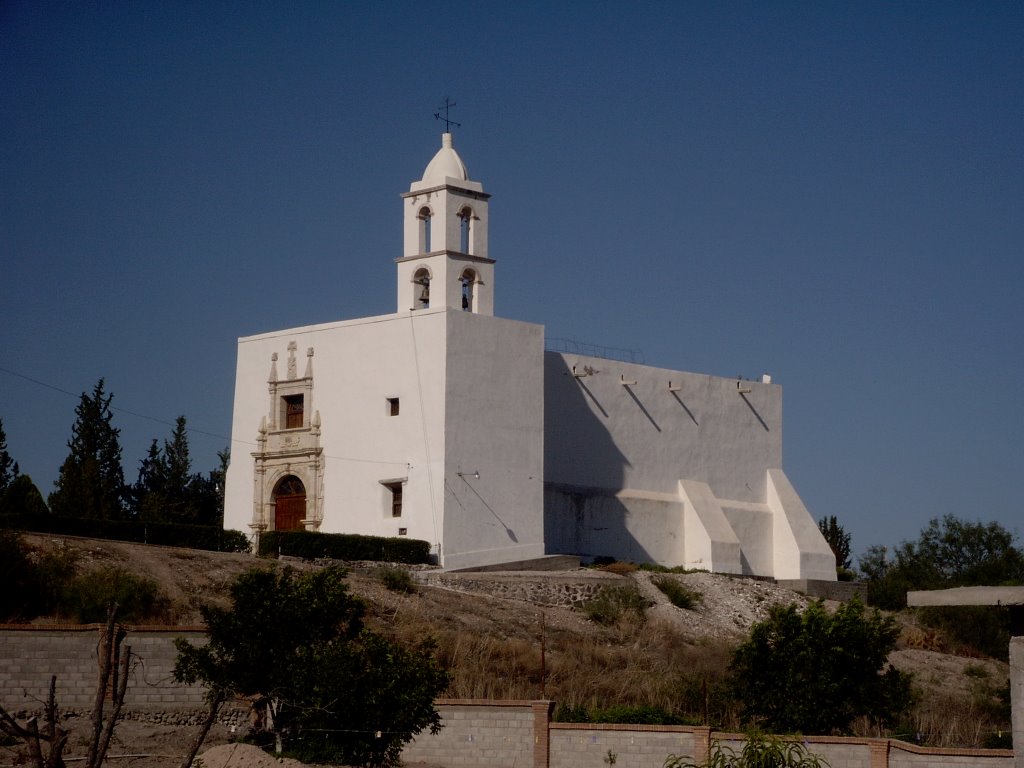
[(832, 193)]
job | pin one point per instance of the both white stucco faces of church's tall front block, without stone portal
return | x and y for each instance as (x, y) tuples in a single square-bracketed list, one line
[(471, 392)]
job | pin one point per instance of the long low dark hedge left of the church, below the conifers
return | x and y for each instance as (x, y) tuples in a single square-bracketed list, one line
[(210, 538)]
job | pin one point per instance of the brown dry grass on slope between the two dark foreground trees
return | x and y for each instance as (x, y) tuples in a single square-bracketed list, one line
[(493, 650)]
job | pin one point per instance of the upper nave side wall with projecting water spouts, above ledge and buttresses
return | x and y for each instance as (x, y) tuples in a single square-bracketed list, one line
[(604, 435)]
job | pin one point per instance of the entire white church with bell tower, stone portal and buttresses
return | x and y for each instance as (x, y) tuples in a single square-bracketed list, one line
[(445, 423)]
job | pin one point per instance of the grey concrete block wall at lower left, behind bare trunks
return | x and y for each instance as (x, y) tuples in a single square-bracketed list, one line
[(30, 656)]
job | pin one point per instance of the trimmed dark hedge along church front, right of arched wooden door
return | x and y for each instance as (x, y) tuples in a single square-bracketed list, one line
[(311, 545)]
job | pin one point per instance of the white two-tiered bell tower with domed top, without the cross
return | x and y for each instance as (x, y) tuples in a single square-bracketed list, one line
[(445, 261)]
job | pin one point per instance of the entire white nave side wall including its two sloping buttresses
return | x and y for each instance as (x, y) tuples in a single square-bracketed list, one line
[(672, 467)]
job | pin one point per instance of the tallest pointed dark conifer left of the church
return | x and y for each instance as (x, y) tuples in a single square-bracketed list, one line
[(92, 483)]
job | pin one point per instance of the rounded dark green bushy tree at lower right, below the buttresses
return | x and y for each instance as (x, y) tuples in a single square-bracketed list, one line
[(816, 672)]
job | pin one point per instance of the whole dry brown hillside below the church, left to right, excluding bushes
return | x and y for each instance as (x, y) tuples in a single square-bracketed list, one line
[(642, 659)]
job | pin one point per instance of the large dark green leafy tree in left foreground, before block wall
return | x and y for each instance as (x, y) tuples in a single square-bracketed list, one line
[(327, 689)]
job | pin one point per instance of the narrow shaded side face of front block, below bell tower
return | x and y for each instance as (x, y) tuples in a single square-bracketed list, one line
[(495, 428)]
